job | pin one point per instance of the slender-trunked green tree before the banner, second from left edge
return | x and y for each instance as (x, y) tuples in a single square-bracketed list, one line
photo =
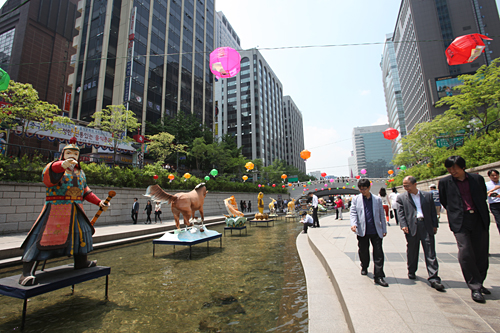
[(116, 120)]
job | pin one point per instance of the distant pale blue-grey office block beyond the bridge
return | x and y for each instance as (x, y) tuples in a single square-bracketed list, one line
[(372, 151)]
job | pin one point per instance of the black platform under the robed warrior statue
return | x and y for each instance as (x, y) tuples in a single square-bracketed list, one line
[(49, 280)]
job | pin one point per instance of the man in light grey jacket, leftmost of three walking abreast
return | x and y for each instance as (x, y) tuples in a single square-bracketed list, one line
[(368, 222)]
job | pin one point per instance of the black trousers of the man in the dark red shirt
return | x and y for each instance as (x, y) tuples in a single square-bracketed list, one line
[(473, 244)]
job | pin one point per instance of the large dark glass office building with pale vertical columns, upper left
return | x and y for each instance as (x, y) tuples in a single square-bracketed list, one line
[(152, 55)]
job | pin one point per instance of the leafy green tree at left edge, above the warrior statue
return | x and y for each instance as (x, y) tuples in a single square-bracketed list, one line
[(28, 112)]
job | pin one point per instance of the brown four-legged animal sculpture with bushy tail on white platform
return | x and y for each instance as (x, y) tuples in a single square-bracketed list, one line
[(185, 203)]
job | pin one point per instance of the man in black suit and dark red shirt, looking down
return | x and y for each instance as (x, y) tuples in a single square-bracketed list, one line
[(464, 197)]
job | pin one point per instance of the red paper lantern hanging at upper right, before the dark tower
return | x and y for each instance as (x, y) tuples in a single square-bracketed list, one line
[(465, 49)]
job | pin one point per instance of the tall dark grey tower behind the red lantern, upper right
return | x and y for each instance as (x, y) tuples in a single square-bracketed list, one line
[(423, 31)]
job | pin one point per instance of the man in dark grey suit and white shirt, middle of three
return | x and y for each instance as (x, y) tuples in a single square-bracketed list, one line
[(418, 220)]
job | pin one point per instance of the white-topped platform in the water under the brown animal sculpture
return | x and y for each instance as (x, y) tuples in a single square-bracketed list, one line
[(187, 237)]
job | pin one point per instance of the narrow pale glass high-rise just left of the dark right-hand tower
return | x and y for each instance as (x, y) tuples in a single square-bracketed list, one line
[(392, 92)]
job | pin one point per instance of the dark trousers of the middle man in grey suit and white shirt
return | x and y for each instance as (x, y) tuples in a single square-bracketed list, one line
[(413, 249)]
